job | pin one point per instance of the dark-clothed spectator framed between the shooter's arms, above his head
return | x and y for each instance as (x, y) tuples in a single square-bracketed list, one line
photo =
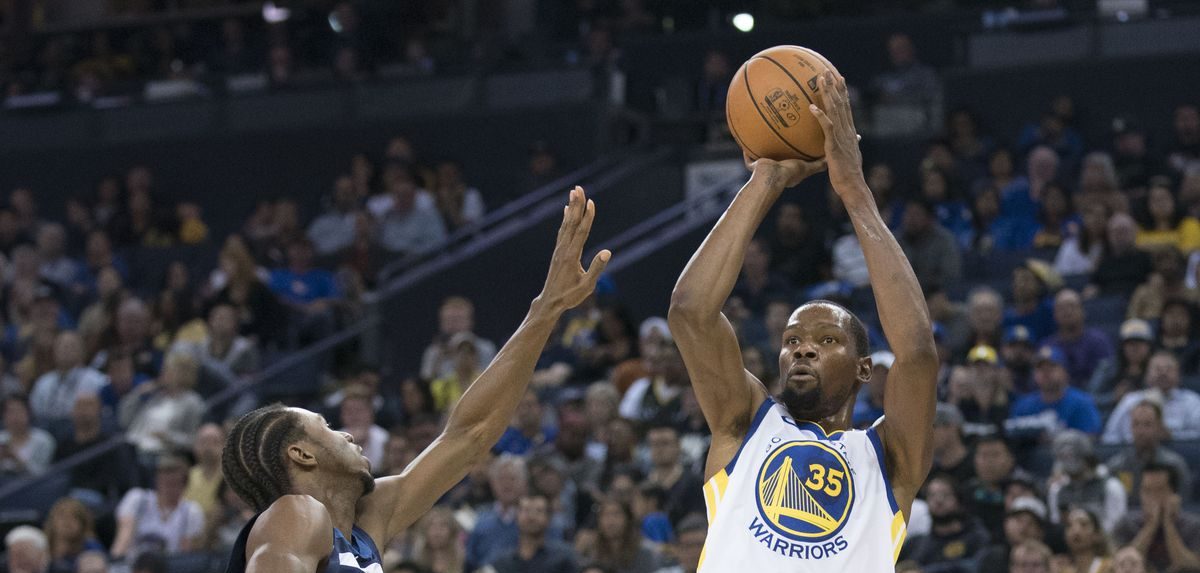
[(795, 252)]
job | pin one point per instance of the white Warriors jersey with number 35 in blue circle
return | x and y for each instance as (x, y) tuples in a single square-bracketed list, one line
[(797, 500)]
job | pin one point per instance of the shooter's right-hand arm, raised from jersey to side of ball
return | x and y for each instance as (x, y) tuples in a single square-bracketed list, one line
[(910, 397)]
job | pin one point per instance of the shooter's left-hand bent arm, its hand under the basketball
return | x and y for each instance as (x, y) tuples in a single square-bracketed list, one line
[(728, 394)]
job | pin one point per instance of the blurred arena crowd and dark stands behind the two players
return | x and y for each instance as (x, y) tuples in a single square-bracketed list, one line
[(347, 206)]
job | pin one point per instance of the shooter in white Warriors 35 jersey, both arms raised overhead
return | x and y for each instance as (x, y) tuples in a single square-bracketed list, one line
[(790, 487)]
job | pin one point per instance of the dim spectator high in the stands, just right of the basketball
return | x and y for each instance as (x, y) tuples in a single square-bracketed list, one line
[(910, 83)]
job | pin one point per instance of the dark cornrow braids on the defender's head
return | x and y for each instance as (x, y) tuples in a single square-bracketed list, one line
[(254, 461)]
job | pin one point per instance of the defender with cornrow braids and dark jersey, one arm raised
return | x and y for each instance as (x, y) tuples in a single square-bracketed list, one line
[(321, 511)]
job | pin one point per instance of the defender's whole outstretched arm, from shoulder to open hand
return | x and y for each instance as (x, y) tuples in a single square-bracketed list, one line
[(487, 408)]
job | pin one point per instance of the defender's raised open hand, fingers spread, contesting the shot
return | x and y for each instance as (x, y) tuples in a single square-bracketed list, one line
[(568, 284)]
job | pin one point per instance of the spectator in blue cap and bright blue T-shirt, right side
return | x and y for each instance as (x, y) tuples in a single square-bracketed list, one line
[(1055, 405)]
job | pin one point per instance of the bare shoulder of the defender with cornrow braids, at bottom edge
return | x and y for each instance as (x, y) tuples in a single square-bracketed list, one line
[(292, 536)]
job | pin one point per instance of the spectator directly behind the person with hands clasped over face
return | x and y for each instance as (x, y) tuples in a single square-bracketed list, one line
[(1145, 449)]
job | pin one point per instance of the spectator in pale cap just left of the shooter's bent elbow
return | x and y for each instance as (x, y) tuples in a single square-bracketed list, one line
[(658, 397)]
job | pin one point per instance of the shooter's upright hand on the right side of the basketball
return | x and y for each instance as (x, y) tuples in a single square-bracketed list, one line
[(838, 124)]
